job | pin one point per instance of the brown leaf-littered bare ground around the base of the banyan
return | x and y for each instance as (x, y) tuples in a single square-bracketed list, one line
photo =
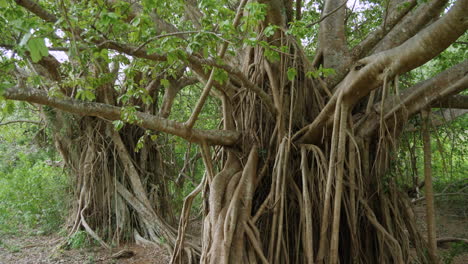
[(28, 248)]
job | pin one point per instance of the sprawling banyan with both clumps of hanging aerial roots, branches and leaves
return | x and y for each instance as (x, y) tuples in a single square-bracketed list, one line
[(312, 103)]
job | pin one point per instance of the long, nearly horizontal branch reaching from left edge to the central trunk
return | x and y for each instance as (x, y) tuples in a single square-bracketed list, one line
[(147, 121)]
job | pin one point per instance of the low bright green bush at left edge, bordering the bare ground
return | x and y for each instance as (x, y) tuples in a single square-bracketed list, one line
[(32, 194)]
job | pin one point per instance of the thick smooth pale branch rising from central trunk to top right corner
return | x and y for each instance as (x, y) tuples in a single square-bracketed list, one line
[(370, 72)]
